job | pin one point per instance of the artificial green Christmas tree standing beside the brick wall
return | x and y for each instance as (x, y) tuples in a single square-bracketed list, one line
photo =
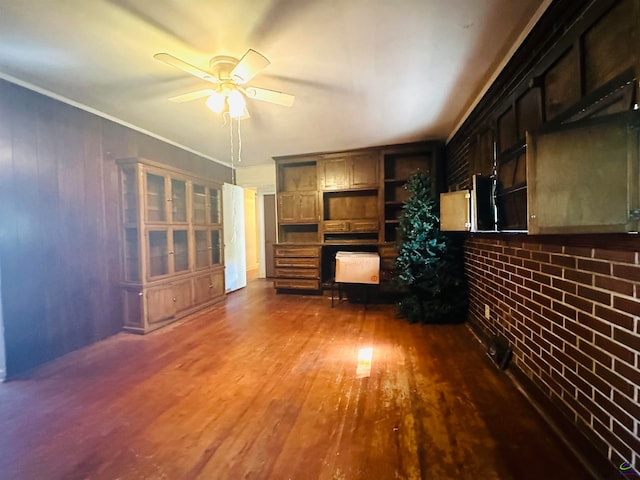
[(430, 264)]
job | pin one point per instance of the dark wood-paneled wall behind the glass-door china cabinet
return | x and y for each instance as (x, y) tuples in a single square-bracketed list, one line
[(59, 251)]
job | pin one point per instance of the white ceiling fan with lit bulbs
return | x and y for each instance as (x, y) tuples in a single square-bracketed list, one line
[(230, 76)]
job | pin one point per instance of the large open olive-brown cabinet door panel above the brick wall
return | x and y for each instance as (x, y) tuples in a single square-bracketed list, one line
[(583, 177)]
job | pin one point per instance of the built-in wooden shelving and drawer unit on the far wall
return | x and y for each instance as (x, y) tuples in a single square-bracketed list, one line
[(343, 201)]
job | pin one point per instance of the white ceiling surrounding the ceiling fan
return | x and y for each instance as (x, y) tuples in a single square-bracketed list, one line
[(364, 72)]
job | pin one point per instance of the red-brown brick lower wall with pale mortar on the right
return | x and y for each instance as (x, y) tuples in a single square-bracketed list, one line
[(572, 315)]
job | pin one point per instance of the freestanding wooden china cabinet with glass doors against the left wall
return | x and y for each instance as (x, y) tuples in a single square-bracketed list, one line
[(171, 241)]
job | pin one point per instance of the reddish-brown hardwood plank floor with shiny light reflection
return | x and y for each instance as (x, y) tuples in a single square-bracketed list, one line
[(267, 386)]
